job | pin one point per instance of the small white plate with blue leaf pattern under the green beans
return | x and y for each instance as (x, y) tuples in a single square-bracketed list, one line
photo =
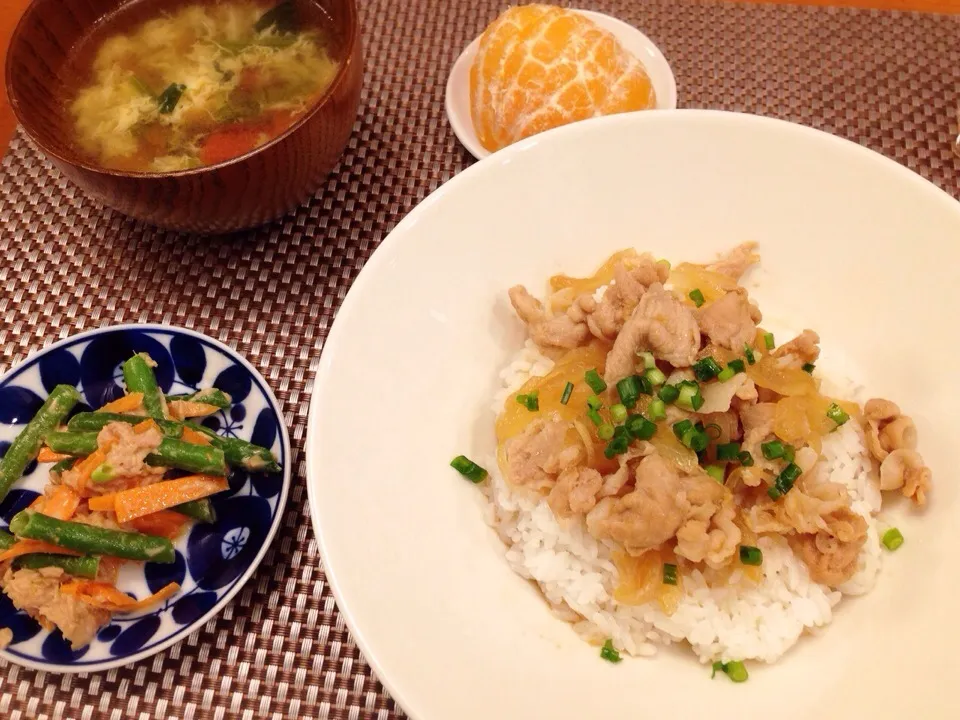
[(213, 561)]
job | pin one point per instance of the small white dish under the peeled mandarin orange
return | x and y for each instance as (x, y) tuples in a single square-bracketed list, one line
[(457, 101)]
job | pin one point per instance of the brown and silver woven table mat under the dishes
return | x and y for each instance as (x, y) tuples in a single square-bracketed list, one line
[(889, 81)]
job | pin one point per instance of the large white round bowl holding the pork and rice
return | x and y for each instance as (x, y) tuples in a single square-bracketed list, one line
[(853, 245)]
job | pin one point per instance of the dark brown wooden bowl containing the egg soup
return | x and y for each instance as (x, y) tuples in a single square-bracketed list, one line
[(240, 193)]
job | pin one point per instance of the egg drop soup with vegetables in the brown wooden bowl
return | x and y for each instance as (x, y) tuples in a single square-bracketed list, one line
[(198, 84)]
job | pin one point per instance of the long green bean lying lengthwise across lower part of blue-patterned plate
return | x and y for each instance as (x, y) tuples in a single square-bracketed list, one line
[(92, 540)]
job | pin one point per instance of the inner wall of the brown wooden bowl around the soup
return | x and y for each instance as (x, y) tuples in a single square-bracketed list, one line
[(53, 43)]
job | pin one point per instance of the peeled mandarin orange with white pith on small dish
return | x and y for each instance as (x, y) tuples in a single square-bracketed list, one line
[(540, 66)]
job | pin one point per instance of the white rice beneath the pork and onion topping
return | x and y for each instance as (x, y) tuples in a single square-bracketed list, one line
[(738, 622)]
